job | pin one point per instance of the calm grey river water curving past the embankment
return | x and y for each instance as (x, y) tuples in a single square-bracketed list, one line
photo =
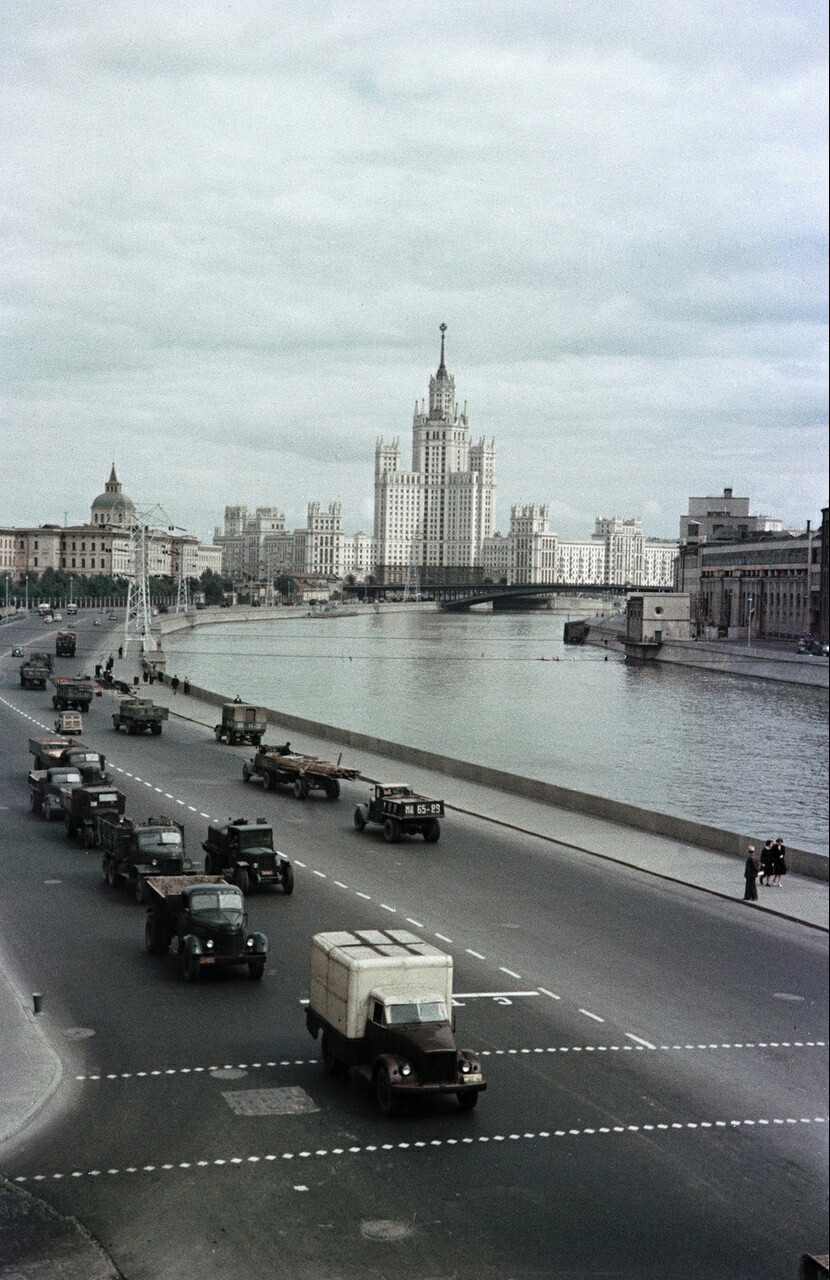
[(738, 753)]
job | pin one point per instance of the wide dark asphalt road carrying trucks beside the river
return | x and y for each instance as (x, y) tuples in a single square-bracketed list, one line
[(656, 1058)]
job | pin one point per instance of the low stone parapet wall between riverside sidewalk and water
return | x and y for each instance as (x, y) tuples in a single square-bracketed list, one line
[(805, 862)]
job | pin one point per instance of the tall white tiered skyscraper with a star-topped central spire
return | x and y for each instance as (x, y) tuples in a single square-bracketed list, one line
[(437, 515)]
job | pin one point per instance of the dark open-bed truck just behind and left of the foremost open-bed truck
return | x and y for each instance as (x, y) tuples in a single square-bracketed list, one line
[(135, 851)]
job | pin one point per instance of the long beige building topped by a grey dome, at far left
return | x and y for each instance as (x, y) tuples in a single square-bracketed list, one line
[(104, 546)]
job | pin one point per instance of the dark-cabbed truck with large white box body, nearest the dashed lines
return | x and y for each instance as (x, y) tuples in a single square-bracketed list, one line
[(382, 1000)]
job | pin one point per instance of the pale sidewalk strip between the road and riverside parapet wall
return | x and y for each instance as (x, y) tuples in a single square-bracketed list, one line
[(799, 899)]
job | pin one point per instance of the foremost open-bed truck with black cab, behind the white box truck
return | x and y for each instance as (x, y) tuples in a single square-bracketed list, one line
[(206, 918)]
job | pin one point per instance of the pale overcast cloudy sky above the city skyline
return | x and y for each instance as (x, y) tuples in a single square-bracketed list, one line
[(232, 231)]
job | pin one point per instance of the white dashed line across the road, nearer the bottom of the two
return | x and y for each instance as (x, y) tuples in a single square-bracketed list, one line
[(535, 1136)]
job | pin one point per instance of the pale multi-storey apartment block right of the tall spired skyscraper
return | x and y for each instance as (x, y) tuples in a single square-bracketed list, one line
[(618, 554)]
